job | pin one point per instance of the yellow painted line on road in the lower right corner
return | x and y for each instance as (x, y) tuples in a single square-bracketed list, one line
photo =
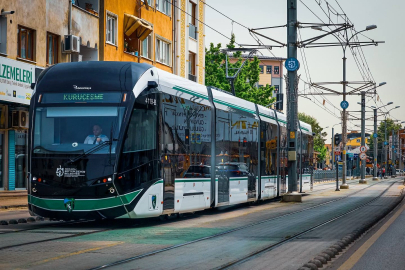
[(363, 249)]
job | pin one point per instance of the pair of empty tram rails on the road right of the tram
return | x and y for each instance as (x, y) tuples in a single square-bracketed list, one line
[(138, 257)]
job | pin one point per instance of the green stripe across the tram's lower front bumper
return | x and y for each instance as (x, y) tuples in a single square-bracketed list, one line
[(84, 204)]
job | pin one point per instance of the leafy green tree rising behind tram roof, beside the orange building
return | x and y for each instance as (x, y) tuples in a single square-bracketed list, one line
[(245, 83)]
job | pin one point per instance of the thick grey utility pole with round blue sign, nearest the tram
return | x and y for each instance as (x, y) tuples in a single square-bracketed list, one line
[(292, 103)]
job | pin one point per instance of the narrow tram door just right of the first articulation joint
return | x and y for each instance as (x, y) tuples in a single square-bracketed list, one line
[(223, 128)]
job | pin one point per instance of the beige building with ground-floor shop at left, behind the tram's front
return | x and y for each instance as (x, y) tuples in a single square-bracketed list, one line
[(31, 39)]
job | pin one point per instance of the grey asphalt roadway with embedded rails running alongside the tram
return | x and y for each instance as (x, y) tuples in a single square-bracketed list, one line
[(221, 236)]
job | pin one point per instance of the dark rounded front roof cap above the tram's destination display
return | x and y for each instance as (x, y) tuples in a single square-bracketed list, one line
[(94, 75)]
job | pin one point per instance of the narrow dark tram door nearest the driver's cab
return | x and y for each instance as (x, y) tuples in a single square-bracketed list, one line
[(169, 159)]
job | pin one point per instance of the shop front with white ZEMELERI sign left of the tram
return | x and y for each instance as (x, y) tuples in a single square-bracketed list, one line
[(15, 95)]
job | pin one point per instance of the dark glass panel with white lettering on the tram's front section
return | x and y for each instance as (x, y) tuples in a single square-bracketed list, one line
[(184, 118)]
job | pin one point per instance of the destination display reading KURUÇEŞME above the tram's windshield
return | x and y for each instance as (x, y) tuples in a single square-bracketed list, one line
[(110, 97)]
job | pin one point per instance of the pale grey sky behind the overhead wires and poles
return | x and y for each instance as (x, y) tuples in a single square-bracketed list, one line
[(383, 62)]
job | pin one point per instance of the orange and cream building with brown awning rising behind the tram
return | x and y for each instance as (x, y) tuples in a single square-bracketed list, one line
[(156, 32)]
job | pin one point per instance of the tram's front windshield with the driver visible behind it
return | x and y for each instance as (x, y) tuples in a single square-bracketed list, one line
[(75, 130)]
